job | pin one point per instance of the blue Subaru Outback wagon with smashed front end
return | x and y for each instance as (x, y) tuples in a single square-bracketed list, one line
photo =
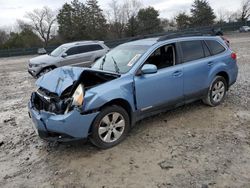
[(133, 81)]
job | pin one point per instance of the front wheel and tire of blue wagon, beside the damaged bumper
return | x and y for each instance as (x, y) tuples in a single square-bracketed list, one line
[(110, 127)]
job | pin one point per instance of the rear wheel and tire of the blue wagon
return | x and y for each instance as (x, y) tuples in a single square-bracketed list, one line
[(217, 92)]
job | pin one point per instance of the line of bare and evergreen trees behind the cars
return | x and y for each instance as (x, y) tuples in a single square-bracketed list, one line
[(87, 21)]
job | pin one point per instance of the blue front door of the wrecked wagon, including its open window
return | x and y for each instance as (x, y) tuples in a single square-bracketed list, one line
[(163, 87)]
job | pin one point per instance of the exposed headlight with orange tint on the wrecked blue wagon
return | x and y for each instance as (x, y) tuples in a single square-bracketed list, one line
[(77, 98)]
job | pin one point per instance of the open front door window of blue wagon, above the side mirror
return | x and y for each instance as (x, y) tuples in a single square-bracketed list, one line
[(163, 57)]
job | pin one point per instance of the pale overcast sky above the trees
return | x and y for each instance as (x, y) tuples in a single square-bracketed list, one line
[(10, 10)]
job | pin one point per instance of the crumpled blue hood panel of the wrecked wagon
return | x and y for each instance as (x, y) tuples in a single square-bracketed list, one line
[(59, 79)]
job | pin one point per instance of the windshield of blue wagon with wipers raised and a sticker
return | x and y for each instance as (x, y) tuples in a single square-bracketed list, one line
[(121, 59)]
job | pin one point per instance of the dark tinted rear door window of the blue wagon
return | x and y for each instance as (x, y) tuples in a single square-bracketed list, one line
[(192, 50)]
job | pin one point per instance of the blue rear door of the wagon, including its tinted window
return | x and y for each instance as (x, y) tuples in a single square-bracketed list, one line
[(196, 68)]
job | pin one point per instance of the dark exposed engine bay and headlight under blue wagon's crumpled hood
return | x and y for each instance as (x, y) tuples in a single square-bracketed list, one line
[(72, 96)]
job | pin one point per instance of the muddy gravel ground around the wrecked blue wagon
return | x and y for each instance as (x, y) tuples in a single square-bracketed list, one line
[(192, 146)]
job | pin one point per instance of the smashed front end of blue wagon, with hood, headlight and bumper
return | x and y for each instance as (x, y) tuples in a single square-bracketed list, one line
[(57, 107)]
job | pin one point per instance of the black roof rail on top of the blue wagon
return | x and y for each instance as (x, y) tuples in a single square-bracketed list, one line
[(184, 34)]
